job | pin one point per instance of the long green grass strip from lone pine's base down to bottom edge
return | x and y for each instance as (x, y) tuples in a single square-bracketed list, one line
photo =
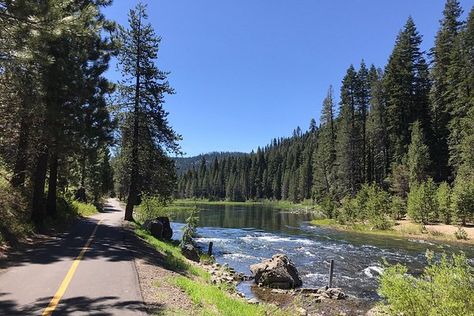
[(208, 299)]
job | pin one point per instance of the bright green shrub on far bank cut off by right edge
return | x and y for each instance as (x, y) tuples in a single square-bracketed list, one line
[(463, 198)]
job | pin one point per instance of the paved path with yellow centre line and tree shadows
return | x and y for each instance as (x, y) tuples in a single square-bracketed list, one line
[(104, 283)]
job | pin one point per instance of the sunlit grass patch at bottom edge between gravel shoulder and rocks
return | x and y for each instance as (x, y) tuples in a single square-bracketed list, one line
[(215, 301)]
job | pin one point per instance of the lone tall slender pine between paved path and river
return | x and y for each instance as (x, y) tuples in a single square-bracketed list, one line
[(143, 88)]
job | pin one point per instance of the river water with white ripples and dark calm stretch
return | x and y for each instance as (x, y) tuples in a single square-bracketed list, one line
[(244, 235)]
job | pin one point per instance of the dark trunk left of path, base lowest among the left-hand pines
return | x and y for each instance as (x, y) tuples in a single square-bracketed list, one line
[(39, 180)]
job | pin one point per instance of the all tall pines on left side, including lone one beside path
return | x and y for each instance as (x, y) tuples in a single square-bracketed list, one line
[(56, 119)]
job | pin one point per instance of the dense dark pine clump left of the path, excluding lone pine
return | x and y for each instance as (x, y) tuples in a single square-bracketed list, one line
[(54, 115)]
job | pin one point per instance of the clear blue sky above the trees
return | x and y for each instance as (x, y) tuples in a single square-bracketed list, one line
[(248, 71)]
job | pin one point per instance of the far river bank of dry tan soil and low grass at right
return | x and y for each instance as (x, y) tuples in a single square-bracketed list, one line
[(405, 229)]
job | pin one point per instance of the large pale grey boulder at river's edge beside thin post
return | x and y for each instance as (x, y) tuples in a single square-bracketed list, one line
[(277, 272)]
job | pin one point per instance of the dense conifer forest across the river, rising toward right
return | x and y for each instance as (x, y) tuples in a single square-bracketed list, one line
[(394, 128)]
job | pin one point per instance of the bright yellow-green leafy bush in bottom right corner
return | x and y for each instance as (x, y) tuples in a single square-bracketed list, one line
[(445, 288)]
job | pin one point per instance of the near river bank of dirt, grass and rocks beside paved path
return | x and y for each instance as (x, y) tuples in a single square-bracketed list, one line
[(173, 285)]
